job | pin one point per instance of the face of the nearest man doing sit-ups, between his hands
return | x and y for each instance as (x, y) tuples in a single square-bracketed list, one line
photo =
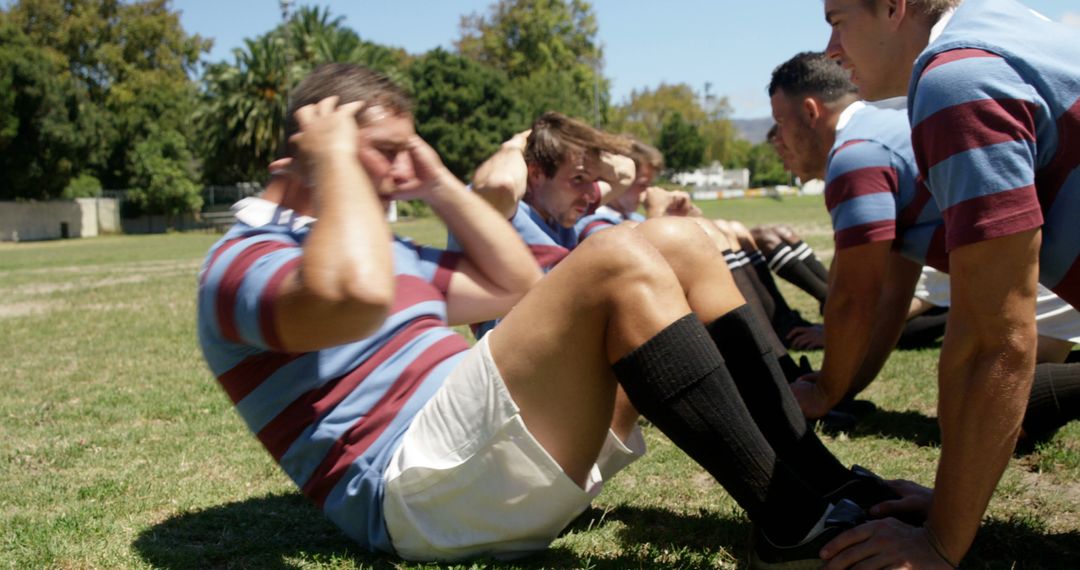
[(385, 139)]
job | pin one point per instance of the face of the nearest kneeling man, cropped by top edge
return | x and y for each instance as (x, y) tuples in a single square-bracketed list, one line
[(866, 42)]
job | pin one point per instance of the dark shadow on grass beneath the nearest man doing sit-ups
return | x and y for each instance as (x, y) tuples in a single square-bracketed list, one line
[(287, 532)]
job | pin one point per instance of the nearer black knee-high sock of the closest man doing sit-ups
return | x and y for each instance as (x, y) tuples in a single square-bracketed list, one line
[(679, 382)]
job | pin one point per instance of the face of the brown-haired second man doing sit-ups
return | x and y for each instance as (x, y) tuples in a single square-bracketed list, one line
[(565, 197)]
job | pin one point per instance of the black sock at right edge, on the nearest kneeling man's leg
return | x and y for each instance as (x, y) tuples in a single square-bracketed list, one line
[(1055, 402)]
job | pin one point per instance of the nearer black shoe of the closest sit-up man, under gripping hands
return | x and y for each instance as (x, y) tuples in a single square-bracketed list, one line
[(765, 555)]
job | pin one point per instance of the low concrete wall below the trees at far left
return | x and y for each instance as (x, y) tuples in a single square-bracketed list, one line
[(22, 222)]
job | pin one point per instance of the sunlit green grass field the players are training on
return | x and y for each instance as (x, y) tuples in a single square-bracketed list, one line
[(119, 451)]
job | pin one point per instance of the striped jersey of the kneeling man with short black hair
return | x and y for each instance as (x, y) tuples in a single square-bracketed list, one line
[(872, 188)]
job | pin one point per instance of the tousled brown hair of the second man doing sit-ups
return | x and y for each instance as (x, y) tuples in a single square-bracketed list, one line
[(556, 138)]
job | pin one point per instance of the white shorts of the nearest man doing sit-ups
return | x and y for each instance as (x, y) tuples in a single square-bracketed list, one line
[(469, 480)]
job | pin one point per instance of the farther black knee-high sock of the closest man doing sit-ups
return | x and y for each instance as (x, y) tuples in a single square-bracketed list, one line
[(742, 342)]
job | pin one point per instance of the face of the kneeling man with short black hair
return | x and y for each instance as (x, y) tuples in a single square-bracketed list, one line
[(806, 152)]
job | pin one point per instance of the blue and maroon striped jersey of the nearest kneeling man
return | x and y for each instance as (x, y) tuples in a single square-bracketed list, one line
[(995, 104)]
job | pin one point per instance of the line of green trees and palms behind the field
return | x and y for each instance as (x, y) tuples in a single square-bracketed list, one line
[(111, 94)]
